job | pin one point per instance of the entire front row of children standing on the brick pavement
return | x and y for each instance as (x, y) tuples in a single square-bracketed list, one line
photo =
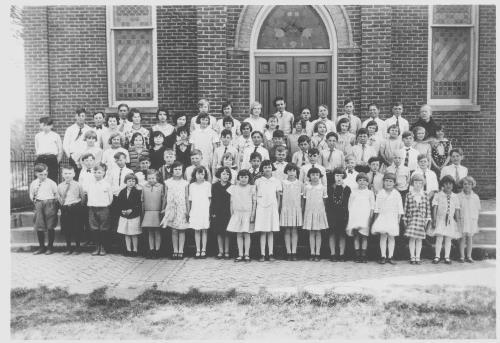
[(265, 207)]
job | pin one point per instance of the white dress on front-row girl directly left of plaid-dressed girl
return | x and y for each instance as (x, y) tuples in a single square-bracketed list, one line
[(389, 207)]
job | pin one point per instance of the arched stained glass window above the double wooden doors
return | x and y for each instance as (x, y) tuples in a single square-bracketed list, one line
[(293, 27)]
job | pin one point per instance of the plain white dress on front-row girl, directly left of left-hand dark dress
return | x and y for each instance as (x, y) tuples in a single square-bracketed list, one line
[(199, 215)]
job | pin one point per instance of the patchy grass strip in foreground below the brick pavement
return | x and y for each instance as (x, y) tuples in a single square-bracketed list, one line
[(436, 313)]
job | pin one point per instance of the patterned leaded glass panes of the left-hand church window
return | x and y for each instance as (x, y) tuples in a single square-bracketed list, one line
[(132, 35)]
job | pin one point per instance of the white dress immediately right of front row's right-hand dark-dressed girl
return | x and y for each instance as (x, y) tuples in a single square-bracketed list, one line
[(361, 203)]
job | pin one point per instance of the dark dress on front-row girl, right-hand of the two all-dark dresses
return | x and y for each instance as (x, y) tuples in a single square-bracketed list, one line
[(337, 208)]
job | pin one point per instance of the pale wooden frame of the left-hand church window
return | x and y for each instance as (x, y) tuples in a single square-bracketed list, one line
[(110, 28)]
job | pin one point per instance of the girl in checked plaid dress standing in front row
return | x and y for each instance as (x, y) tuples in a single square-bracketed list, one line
[(417, 217)]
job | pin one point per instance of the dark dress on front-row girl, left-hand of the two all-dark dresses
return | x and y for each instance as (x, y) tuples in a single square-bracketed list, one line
[(220, 210)]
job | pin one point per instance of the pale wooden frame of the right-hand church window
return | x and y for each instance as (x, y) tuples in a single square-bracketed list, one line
[(457, 104)]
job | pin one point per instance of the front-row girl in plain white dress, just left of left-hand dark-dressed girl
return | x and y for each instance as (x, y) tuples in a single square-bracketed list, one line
[(200, 193)]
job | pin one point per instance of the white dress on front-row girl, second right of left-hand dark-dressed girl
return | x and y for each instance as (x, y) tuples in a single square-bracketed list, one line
[(266, 215)]
